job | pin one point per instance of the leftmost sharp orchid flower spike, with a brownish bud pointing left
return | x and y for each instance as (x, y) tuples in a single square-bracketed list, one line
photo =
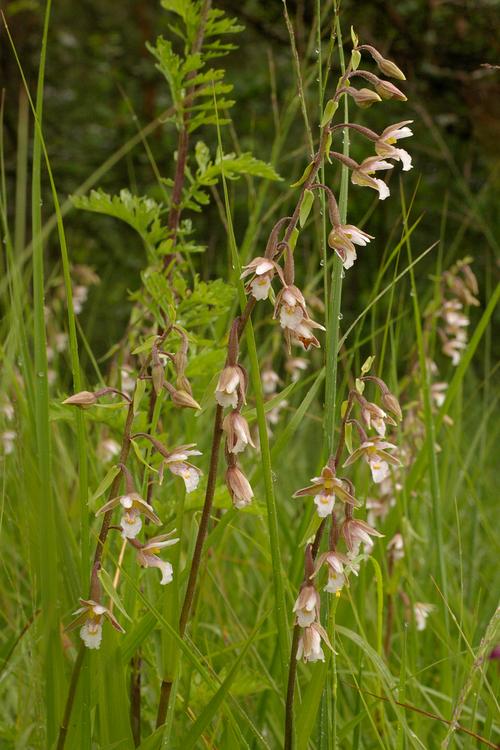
[(133, 507)]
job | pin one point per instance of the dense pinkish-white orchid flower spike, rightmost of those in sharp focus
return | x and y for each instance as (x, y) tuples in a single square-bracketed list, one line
[(335, 501)]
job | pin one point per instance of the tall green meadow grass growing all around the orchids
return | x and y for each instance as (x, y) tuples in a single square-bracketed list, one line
[(387, 684)]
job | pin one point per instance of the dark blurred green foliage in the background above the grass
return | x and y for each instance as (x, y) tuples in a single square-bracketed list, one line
[(99, 72)]
